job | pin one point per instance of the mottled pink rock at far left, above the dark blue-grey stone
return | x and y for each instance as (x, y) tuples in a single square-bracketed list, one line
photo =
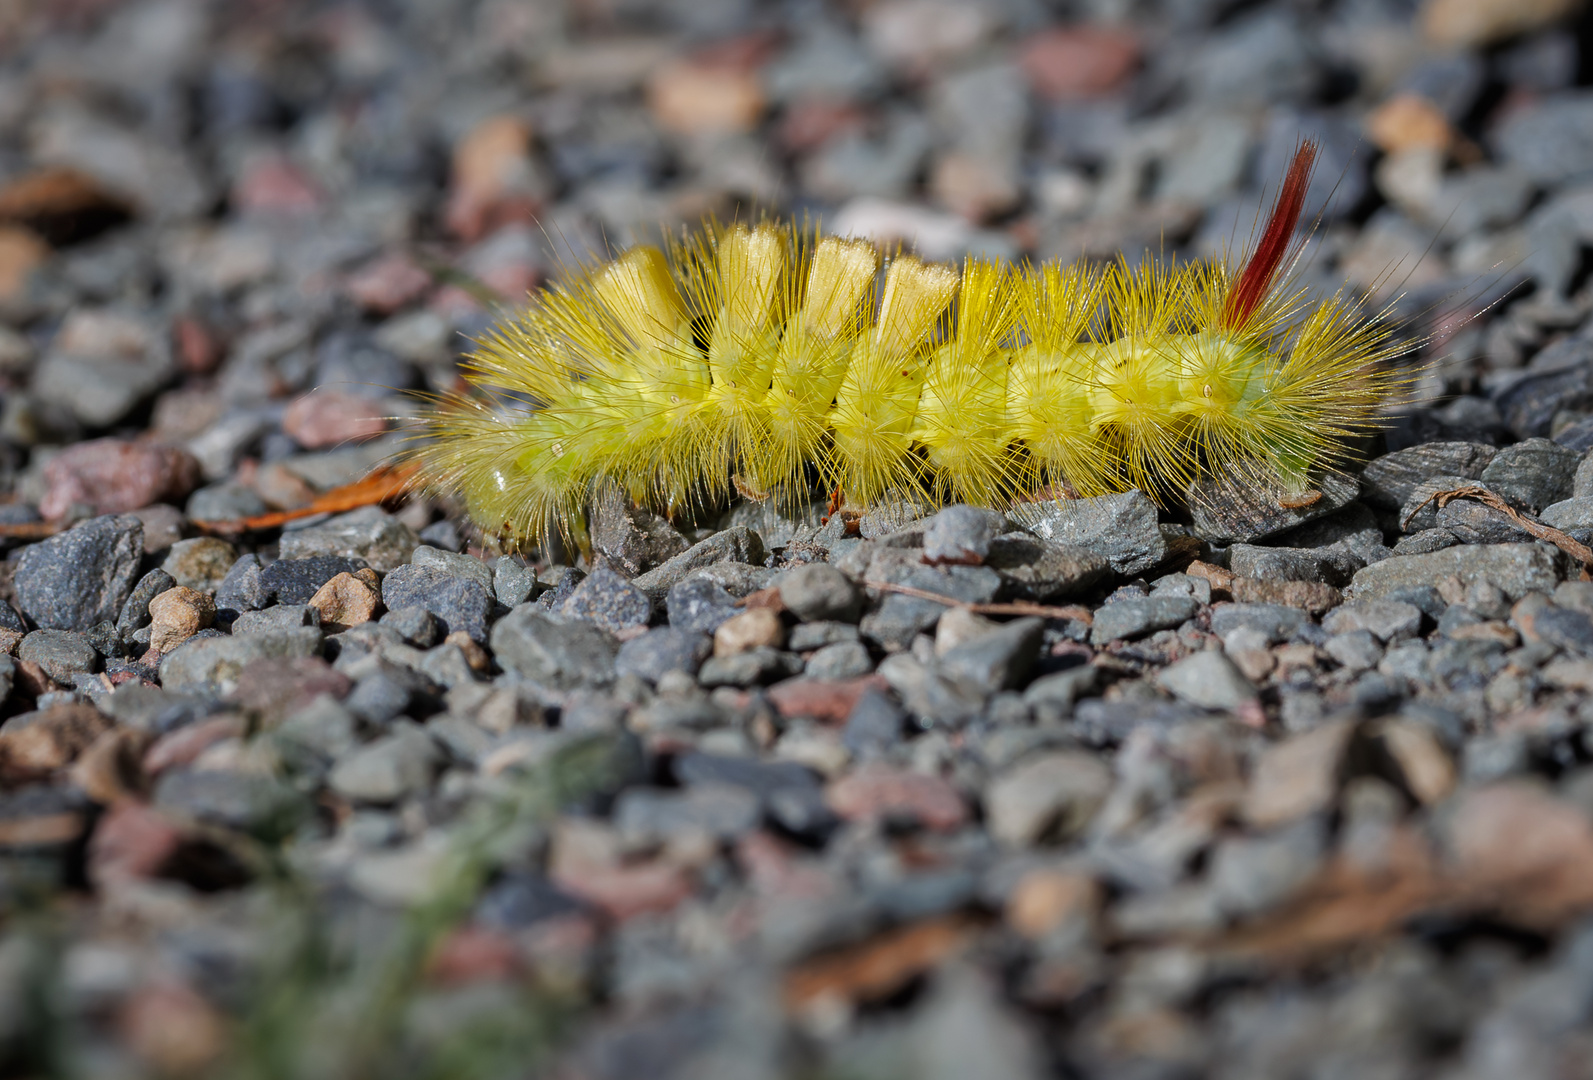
[(112, 477)]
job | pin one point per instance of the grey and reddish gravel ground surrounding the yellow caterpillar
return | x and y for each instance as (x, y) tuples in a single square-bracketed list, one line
[(1275, 794)]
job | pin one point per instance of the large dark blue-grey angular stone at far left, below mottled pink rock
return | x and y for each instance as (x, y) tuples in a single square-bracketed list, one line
[(82, 577)]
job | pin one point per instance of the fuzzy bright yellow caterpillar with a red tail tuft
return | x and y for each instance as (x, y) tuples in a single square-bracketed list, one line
[(764, 358)]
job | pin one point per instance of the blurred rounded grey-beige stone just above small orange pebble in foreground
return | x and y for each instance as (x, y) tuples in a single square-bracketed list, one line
[(1047, 799)]
